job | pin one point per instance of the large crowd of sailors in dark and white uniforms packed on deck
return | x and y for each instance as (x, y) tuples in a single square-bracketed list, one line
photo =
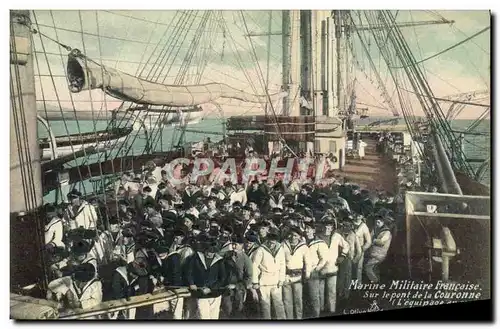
[(262, 250)]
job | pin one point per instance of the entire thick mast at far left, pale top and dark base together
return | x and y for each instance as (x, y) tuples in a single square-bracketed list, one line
[(26, 223)]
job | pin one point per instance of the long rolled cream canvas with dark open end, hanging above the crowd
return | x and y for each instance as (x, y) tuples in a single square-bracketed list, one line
[(84, 73)]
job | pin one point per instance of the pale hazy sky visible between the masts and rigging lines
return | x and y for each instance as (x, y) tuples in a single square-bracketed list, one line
[(127, 40)]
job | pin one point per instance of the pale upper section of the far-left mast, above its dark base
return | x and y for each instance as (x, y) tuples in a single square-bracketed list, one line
[(25, 168)]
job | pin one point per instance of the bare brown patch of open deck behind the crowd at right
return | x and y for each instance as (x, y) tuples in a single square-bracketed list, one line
[(374, 172)]
